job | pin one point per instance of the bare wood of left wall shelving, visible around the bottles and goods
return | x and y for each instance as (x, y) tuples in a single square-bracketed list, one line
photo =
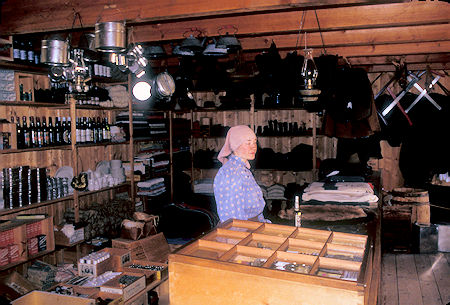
[(80, 157)]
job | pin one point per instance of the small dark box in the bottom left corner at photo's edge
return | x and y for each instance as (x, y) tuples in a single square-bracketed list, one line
[(15, 285)]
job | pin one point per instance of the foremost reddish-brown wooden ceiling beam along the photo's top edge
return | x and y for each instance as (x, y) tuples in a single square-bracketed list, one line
[(30, 16)]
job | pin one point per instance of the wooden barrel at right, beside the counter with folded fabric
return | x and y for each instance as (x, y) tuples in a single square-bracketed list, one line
[(418, 199)]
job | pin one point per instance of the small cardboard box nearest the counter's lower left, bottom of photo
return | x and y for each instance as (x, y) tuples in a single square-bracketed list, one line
[(113, 286)]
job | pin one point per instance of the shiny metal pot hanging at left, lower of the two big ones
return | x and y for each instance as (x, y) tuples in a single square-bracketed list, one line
[(55, 52)]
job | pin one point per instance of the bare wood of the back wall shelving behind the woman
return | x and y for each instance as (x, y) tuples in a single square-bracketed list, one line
[(322, 146)]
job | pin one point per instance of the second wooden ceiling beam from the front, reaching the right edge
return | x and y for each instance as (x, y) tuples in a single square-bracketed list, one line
[(367, 17)]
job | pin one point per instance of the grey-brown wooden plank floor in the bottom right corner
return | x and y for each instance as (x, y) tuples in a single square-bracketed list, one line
[(415, 279)]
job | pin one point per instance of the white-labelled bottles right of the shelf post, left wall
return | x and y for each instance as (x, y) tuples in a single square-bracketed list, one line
[(90, 130)]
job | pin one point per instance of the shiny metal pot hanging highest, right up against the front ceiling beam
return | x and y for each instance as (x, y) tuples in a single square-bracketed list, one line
[(110, 37)]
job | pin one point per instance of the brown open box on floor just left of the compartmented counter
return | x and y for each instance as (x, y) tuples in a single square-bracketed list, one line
[(153, 248)]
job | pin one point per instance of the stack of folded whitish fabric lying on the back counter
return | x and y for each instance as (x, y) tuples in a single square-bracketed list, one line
[(344, 192)]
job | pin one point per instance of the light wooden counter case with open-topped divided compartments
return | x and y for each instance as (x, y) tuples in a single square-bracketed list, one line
[(271, 264)]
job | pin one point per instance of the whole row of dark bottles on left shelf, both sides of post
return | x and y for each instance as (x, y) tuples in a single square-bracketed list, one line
[(40, 134)]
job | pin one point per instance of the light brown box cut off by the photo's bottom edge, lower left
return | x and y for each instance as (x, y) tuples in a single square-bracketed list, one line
[(46, 298)]
